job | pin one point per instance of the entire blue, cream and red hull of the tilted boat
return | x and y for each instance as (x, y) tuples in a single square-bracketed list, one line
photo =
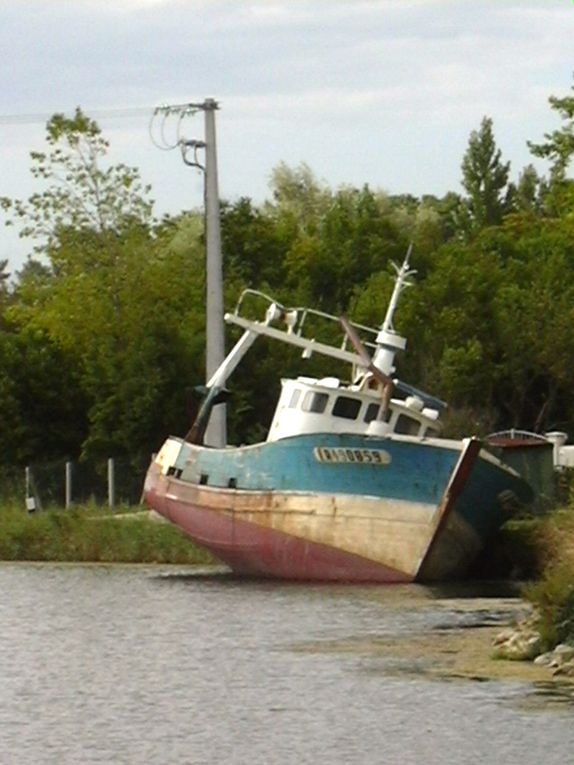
[(291, 509)]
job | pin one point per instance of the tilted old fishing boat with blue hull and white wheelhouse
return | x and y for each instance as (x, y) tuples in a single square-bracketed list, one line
[(354, 481)]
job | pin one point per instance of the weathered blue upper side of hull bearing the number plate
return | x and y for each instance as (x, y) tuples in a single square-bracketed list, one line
[(410, 471)]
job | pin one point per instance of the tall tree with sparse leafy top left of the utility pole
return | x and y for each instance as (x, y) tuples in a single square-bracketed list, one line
[(114, 307)]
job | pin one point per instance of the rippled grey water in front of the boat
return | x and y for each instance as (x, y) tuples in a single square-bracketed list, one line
[(156, 665)]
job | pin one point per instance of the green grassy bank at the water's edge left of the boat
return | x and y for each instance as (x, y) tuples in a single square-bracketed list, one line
[(92, 534)]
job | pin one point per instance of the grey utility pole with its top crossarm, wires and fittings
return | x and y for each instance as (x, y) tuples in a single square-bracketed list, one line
[(216, 434)]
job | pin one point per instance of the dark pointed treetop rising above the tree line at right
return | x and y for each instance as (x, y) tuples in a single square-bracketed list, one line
[(485, 179)]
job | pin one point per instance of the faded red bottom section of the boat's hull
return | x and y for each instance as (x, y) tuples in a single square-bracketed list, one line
[(258, 551)]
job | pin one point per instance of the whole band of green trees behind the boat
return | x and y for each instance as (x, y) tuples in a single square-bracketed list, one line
[(102, 331)]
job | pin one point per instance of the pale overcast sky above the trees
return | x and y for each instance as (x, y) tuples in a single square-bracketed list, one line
[(384, 92)]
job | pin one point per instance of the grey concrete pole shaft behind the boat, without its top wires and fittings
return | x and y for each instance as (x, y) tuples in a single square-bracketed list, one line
[(216, 434)]
